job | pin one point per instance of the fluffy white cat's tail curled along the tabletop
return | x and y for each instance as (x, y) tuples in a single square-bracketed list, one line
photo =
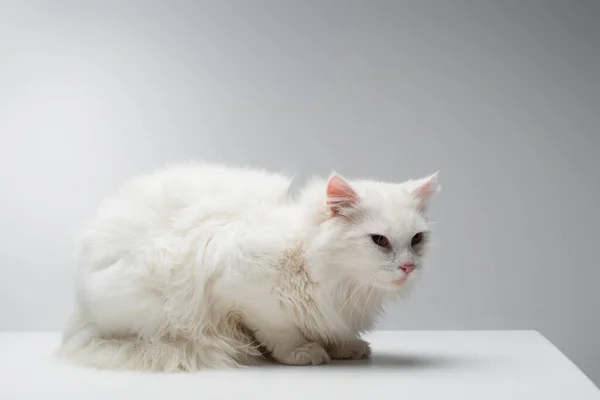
[(83, 344)]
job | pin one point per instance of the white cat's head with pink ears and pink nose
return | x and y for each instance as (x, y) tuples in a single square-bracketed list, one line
[(373, 233)]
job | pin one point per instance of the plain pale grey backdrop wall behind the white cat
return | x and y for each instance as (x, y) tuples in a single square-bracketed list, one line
[(501, 97)]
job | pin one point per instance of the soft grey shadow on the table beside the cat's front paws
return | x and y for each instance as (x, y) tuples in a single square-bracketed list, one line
[(406, 362)]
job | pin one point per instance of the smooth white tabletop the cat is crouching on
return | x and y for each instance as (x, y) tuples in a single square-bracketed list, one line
[(405, 365)]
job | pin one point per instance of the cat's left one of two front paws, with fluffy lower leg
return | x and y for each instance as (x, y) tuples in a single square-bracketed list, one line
[(287, 345)]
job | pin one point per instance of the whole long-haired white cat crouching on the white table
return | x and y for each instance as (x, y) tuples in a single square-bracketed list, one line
[(203, 266)]
